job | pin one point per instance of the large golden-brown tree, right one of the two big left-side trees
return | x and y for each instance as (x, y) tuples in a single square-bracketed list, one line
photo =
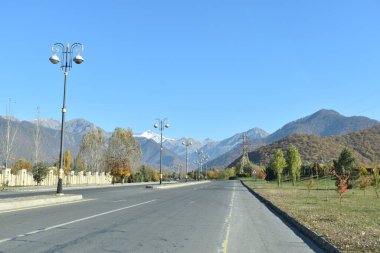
[(123, 150)]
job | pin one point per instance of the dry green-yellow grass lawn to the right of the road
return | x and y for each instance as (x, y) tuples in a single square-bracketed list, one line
[(352, 225)]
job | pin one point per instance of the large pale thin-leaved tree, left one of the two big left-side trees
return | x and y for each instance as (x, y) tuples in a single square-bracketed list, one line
[(92, 150)]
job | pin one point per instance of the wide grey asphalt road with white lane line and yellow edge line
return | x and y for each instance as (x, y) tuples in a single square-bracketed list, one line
[(213, 217)]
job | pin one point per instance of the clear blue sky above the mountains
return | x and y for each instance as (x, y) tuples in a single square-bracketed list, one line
[(213, 68)]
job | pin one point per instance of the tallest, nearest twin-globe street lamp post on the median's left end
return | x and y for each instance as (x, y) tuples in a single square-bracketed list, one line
[(66, 65)]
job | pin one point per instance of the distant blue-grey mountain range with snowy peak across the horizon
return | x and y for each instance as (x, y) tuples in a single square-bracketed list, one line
[(221, 153)]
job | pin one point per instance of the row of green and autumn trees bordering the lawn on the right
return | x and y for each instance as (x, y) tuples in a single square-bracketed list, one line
[(345, 170)]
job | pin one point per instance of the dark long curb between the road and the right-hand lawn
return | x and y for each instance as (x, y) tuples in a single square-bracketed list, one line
[(321, 242)]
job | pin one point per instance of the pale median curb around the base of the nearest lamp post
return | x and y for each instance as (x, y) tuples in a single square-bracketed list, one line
[(36, 201)]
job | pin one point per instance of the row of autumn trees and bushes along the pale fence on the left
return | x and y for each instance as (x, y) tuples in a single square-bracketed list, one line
[(120, 156)]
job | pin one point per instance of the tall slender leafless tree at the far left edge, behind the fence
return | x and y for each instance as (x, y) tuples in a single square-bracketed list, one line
[(8, 134)]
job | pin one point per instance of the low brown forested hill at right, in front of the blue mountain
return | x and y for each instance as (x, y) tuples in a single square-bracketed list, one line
[(364, 144)]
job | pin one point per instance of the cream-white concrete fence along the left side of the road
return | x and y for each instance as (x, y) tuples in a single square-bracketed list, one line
[(24, 178)]
